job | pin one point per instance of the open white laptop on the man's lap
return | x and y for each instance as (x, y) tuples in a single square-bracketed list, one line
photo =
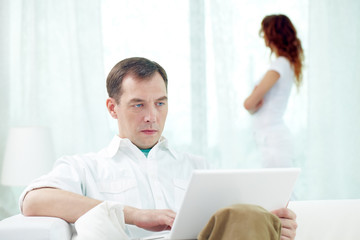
[(210, 190)]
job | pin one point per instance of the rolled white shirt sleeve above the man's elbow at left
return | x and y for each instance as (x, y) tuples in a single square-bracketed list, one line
[(66, 175)]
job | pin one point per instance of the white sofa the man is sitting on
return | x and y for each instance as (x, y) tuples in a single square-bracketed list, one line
[(317, 220)]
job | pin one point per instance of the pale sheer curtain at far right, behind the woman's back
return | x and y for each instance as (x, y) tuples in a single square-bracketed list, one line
[(333, 159)]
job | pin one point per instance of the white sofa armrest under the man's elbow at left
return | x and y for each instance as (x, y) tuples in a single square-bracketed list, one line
[(19, 227)]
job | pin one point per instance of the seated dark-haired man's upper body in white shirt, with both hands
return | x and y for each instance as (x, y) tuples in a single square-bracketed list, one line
[(138, 169)]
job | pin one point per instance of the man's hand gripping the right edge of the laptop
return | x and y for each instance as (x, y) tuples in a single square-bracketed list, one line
[(288, 223)]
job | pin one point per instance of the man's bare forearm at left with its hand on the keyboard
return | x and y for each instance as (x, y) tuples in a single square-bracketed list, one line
[(71, 206)]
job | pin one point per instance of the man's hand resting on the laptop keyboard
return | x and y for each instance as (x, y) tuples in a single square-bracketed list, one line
[(152, 220)]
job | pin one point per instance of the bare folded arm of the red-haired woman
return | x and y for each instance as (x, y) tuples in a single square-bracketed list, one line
[(255, 100)]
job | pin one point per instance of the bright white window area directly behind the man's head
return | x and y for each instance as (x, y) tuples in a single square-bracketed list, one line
[(157, 30)]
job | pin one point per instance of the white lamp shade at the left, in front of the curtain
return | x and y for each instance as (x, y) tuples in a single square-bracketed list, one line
[(28, 155)]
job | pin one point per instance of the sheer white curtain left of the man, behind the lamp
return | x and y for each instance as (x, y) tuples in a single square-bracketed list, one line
[(53, 75)]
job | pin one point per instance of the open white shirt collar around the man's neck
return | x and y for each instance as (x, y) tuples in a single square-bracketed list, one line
[(118, 142)]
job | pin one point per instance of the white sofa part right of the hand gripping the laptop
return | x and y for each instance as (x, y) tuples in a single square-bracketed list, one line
[(327, 219)]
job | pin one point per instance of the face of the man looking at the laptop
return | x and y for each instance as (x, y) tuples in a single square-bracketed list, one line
[(142, 110)]
